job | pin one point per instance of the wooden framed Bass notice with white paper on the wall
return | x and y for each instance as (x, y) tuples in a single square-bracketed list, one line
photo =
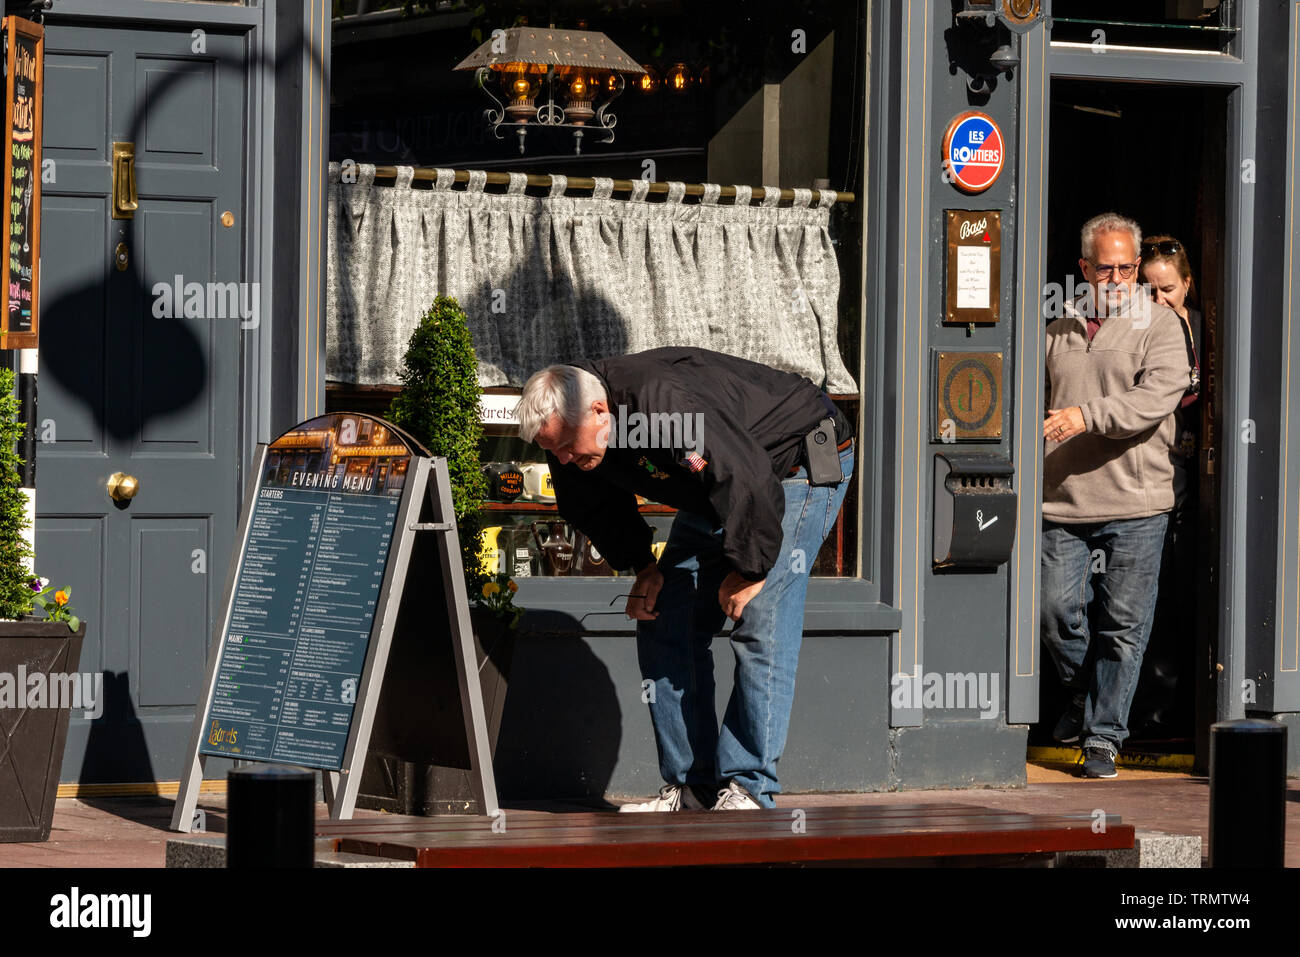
[(973, 278)]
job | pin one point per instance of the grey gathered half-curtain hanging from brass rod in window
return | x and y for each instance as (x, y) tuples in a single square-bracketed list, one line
[(553, 279)]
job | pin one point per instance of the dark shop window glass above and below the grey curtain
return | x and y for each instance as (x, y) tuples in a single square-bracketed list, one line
[(395, 101)]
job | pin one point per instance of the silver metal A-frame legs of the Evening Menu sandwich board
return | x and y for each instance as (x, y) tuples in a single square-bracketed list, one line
[(428, 483)]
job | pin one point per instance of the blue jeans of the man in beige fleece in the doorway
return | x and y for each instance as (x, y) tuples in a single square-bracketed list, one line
[(1123, 561)]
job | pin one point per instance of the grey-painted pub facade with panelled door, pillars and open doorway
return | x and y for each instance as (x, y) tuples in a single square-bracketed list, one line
[(976, 138)]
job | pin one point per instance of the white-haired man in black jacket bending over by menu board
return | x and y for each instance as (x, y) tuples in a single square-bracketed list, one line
[(749, 526)]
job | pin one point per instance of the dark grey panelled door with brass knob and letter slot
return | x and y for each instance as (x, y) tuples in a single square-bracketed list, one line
[(127, 391)]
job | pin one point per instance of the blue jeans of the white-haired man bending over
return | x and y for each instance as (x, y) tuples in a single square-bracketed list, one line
[(675, 648)]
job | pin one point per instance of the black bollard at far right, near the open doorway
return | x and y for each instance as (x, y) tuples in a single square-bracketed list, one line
[(1249, 794)]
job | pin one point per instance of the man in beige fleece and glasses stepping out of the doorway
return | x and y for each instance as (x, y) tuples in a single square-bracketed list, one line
[(1116, 371)]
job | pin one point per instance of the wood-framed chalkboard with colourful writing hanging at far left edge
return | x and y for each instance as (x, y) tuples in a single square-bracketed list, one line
[(24, 60)]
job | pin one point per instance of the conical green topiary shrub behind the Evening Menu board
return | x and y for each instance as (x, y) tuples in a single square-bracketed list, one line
[(439, 405)]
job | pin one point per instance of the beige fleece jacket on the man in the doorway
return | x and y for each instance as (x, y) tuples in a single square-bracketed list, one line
[(1128, 383)]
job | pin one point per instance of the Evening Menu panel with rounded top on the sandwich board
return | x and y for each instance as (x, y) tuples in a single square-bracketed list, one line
[(306, 592)]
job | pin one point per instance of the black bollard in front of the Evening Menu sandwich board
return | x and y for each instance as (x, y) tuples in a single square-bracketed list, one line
[(271, 817)]
